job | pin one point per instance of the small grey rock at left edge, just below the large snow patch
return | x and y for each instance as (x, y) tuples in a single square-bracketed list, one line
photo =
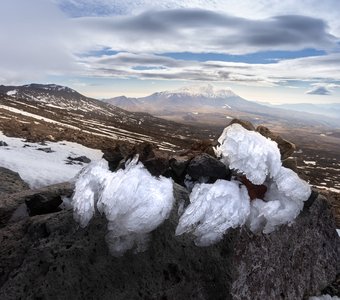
[(11, 182)]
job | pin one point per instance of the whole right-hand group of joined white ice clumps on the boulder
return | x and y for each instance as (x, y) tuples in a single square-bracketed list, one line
[(217, 207)]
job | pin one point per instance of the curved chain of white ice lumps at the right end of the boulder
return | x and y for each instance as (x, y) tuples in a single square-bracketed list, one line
[(258, 158)]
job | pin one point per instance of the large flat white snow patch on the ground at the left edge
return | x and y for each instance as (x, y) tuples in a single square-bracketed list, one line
[(39, 168)]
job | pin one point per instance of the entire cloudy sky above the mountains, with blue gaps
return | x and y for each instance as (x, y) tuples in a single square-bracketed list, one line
[(265, 50)]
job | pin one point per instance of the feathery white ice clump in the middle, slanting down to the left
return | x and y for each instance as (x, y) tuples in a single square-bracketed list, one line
[(213, 209)]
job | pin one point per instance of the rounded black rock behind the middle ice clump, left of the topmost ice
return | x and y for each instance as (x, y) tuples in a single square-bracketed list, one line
[(205, 165)]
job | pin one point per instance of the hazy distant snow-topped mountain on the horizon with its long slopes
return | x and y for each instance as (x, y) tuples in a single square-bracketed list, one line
[(206, 104)]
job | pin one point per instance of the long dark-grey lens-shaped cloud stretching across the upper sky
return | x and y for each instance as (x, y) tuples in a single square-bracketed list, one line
[(198, 31)]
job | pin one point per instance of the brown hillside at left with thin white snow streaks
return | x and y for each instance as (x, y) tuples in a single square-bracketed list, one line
[(53, 109)]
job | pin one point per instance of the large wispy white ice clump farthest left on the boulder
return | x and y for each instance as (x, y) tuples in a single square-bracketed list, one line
[(133, 201)]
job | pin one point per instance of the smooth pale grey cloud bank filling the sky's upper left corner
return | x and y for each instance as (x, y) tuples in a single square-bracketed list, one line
[(34, 39)]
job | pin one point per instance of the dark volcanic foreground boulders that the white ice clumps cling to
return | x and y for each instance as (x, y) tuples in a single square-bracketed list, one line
[(46, 255)]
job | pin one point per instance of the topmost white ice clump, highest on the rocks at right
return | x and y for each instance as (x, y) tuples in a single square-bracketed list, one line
[(249, 152)]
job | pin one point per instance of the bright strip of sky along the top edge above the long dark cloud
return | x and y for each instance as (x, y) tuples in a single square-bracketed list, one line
[(327, 10)]
